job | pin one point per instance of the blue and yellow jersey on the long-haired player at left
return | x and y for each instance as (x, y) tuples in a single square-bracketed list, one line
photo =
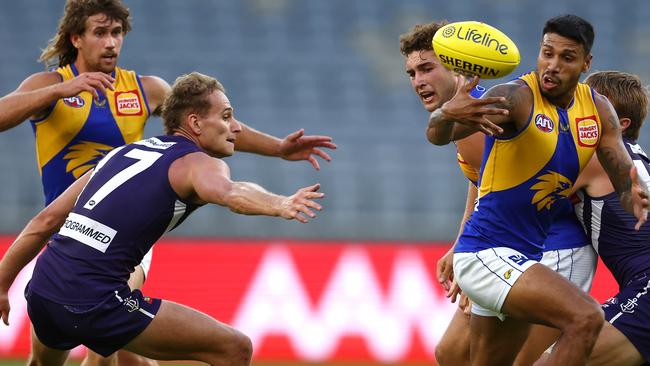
[(78, 131)]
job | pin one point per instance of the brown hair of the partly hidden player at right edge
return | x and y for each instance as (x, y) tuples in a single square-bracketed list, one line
[(627, 94)]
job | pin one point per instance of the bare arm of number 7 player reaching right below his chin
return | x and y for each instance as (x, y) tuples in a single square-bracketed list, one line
[(203, 179)]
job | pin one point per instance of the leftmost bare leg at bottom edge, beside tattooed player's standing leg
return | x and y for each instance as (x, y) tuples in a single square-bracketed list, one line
[(453, 347)]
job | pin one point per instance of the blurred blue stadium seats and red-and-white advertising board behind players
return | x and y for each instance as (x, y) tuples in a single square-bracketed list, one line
[(334, 68)]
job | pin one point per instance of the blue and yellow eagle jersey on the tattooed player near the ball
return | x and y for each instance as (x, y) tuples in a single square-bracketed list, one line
[(525, 179)]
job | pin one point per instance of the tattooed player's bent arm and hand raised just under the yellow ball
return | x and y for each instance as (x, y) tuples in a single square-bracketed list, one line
[(500, 111)]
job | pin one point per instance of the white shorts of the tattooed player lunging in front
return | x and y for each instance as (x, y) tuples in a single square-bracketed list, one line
[(487, 276)]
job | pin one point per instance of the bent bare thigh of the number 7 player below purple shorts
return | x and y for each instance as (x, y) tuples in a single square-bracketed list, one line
[(180, 332)]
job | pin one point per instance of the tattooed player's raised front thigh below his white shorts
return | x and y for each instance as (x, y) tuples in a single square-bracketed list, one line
[(542, 296)]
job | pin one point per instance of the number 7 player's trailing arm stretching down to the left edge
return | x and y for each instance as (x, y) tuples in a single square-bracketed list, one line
[(32, 239)]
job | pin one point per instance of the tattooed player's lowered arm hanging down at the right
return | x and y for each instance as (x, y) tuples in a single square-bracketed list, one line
[(617, 163)]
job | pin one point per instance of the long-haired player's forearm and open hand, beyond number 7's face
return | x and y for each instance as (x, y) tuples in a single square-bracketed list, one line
[(296, 146)]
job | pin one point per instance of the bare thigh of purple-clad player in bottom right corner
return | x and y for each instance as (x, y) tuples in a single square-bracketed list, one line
[(613, 348)]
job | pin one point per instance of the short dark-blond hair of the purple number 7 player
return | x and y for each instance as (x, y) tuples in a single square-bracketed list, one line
[(189, 94)]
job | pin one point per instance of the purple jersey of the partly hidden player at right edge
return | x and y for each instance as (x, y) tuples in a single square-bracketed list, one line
[(625, 251)]
